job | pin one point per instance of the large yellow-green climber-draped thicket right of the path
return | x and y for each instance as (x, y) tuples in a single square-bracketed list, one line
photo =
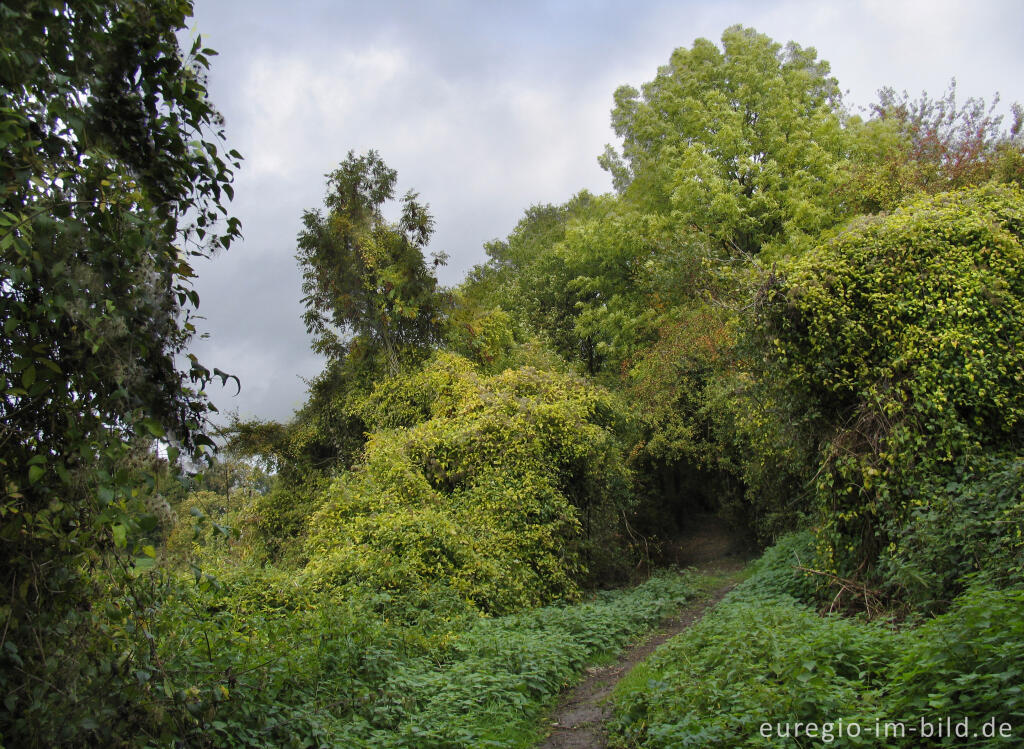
[(904, 337)]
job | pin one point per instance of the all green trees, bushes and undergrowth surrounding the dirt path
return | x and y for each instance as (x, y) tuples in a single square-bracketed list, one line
[(793, 317)]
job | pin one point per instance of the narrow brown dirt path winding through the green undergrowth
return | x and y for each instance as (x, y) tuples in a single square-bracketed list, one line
[(579, 721)]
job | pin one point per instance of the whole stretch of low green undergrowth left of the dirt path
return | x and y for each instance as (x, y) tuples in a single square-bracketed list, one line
[(287, 670)]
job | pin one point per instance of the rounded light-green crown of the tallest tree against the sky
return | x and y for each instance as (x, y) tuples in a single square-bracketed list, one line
[(741, 144)]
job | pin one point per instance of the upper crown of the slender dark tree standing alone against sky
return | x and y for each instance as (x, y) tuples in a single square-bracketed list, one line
[(367, 285)]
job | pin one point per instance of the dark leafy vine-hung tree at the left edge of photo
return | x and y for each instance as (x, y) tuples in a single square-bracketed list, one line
[(113, 183)]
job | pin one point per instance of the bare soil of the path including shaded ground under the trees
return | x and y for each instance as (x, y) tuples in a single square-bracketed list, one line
[(579, 722)]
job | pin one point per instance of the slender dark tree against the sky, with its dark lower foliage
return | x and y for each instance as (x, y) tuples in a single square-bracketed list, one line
[(372, 304)]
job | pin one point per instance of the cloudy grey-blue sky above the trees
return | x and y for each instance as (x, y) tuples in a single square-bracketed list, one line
[(485, 109)]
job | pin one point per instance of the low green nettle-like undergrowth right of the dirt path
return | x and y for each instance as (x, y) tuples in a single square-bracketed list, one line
[(766, 670)]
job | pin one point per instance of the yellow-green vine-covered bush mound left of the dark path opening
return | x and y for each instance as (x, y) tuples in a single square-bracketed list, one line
[(502, 488)]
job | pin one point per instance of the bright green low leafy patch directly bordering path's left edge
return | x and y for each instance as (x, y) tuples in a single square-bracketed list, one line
[(493, 683)]
